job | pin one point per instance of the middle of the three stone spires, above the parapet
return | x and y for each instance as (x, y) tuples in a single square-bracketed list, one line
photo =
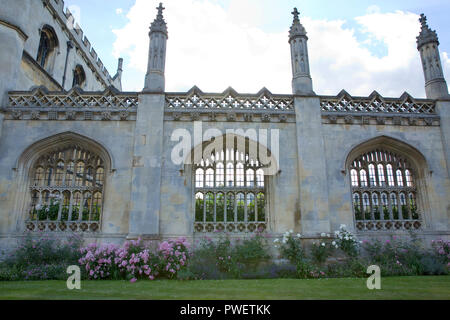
[(301, 78)]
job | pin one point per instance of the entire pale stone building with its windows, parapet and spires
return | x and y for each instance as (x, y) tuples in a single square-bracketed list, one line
[(79, 155)]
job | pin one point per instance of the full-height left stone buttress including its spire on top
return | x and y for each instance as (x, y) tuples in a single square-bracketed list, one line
[(148, 140)]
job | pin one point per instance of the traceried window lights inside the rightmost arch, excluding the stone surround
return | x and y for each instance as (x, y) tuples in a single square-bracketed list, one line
[(378, 205)]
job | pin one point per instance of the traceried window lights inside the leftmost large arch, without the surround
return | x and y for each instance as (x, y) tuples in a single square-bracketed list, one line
[(67, 190)]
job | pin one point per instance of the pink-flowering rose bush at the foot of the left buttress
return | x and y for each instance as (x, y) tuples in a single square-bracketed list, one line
[(134, 260)]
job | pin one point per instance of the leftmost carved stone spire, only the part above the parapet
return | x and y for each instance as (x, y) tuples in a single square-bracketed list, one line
[(154, 79)]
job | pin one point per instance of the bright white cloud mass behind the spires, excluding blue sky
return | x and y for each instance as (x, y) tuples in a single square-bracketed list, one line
[(214, 48)]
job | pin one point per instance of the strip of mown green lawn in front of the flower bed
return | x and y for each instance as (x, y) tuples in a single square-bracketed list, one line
[(426, 287)]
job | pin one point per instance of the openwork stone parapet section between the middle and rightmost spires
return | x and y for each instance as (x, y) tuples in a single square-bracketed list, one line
[(376, 109)]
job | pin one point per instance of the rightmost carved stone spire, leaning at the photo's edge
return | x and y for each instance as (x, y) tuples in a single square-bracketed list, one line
[(427, 44)]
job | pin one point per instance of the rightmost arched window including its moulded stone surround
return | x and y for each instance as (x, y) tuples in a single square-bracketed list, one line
[(386, 162)]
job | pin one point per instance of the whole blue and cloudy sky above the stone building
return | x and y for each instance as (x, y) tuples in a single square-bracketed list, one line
[(356, 45)]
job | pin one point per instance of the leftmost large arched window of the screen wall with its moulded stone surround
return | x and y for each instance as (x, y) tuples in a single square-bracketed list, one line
[(62, 180)]
